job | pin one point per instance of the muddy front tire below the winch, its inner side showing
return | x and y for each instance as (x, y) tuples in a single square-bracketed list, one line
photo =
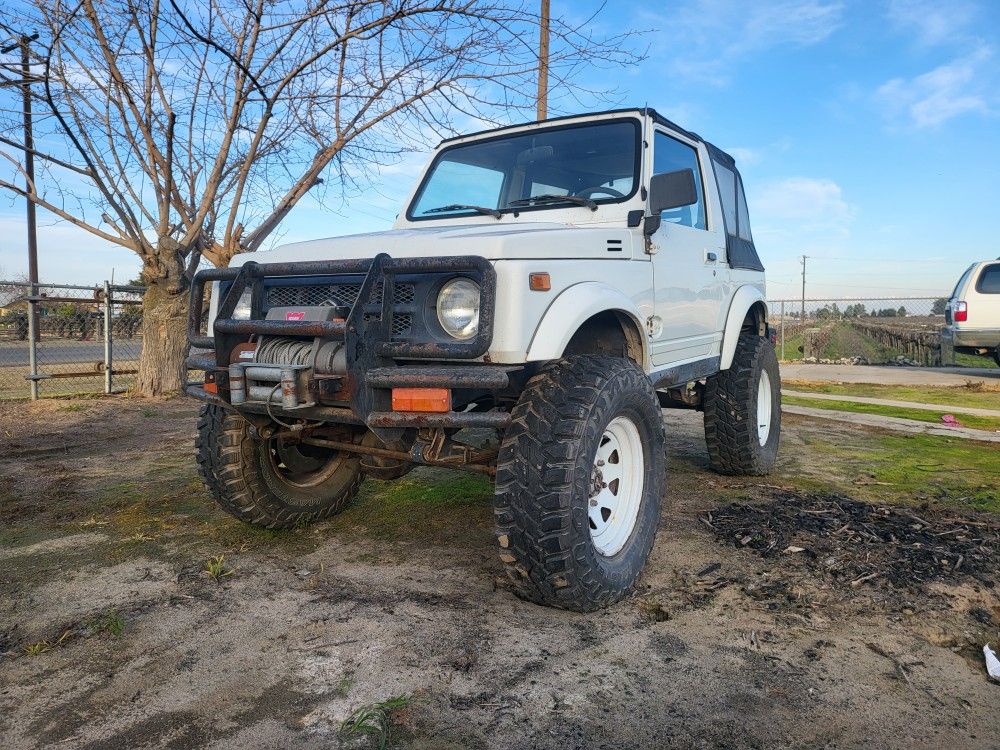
[(270, 483)]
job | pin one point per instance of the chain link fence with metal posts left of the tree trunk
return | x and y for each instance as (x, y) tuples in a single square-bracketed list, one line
[(60, 339)]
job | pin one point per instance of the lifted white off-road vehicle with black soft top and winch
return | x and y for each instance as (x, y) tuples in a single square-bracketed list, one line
[(547, 290)]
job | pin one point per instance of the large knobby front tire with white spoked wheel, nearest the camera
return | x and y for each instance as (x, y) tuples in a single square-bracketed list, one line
[(580, 476)]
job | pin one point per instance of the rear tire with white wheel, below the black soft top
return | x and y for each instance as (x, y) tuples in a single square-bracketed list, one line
[(743, 410)]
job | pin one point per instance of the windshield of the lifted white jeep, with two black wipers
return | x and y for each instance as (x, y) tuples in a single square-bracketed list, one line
[(572, 165)]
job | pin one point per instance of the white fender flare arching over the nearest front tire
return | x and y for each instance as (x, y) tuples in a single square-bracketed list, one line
[(574, 306)]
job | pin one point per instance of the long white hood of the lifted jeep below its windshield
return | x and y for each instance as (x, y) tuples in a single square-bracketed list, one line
[(491, 241)]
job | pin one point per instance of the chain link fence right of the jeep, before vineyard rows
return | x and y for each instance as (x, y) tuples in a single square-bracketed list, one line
[(884, 330)]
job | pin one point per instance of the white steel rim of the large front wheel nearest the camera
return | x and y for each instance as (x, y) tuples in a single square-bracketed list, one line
[(616, 486)]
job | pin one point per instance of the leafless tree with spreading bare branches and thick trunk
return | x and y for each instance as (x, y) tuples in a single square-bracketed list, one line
[(186, 129)]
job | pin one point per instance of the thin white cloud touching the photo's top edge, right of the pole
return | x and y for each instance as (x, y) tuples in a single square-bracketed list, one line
[(707, 38)]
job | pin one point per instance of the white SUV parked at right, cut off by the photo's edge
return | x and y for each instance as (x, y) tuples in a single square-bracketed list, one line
[(972, 315)]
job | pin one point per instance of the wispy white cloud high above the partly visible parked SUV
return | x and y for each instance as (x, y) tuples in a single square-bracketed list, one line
[(948, 91)]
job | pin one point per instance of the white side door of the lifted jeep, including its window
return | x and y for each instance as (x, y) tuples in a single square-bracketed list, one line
[(690, 274)]
